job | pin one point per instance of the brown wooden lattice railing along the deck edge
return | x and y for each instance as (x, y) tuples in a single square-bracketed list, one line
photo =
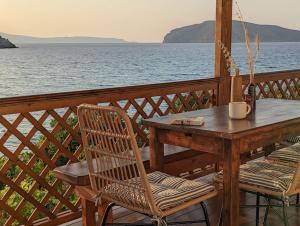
[(39, 133)]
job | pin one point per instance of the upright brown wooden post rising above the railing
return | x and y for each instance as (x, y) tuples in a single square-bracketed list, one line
[(223, 33)]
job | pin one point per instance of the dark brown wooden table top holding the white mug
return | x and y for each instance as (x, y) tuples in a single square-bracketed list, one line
[(271, 113)]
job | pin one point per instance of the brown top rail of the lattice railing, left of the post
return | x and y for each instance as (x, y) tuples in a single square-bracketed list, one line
[(59, 100)]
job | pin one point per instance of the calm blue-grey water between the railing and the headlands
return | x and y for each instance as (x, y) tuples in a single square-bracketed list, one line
[(36, 69)]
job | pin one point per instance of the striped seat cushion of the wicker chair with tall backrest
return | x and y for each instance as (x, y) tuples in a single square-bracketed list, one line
[(168, 191)]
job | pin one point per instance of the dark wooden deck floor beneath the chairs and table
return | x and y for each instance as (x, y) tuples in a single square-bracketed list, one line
[(247, 217)]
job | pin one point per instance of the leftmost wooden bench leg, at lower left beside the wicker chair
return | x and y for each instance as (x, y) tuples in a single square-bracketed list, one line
[(88, 212)]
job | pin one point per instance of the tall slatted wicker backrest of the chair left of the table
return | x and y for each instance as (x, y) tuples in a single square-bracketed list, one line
[(114, 160)]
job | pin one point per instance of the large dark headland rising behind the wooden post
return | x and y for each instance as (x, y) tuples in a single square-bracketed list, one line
[(204, 33)]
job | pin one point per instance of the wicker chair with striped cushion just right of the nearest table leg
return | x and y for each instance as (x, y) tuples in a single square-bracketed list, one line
[(269, 179)]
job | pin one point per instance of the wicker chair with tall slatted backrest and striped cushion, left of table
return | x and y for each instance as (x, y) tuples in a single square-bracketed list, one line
[(118, 175)]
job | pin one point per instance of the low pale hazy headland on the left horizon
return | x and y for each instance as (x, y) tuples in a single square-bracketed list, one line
[(22, 39)]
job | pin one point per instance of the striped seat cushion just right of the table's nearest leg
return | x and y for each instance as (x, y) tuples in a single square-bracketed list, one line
[(265, 174)]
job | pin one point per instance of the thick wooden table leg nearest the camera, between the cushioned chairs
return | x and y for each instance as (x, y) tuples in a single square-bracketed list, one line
[(231, 195)]
